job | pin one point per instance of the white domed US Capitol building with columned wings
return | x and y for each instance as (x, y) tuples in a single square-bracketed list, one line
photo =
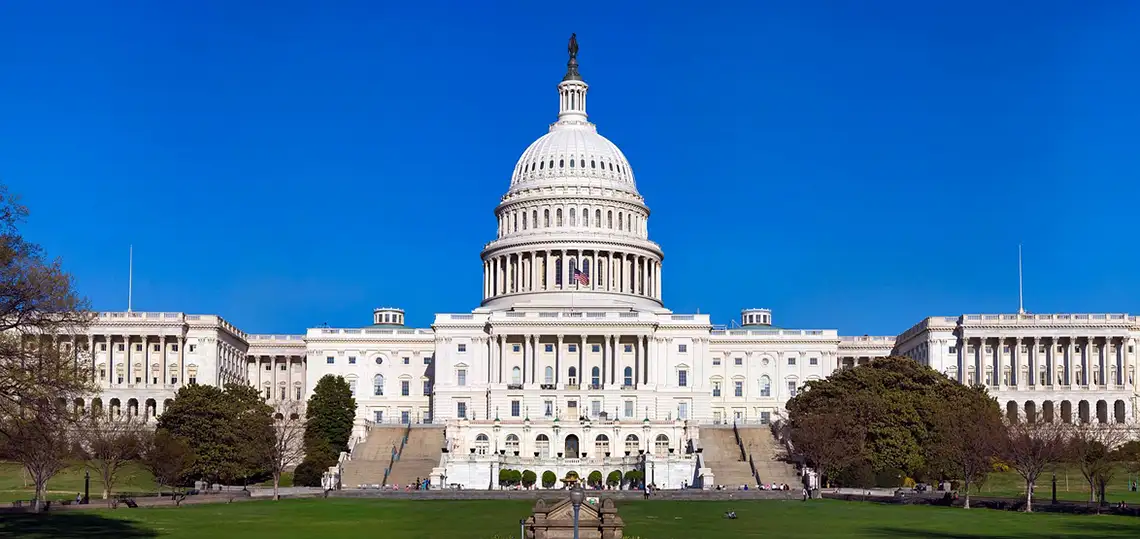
[(573, 356)]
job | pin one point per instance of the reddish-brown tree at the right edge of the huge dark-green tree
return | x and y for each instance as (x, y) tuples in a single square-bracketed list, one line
[(967, 432)]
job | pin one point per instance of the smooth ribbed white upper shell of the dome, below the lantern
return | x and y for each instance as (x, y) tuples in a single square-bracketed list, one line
[(573, 156)]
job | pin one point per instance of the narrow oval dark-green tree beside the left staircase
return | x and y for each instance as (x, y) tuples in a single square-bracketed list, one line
[(330, 414)]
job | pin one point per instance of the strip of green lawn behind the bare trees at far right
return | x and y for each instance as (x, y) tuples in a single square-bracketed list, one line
[(1071, 486)]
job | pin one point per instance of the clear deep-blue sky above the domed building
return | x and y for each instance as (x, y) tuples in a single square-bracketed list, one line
[(851, 166)]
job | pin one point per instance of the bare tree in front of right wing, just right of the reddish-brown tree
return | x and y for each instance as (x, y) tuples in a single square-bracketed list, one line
[(1030, 447)]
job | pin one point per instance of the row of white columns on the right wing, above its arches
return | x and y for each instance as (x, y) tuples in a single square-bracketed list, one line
[(1071, 369)]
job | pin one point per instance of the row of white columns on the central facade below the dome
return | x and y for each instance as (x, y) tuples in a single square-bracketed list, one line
[(533, 374)]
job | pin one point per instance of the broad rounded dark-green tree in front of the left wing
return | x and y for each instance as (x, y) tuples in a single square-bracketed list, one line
[(227, 430)]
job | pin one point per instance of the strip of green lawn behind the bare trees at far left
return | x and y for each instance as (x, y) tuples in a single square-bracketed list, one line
[(132, 479)]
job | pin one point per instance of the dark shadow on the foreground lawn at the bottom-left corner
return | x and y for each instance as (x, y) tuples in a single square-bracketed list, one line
[(70, 525)]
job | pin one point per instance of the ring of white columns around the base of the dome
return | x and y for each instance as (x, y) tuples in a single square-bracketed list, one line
[(553, 271)]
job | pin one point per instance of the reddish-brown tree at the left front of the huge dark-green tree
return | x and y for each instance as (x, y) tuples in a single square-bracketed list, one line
[(828, 440)]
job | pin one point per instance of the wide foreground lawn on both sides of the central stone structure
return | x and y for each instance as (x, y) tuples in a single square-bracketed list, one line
[(333, 519)]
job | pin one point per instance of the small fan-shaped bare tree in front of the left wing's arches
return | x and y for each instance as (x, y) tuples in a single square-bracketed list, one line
[(109, 444)]
